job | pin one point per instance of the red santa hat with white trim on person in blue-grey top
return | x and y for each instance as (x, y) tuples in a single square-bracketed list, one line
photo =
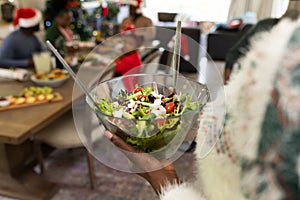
[(27, 17)]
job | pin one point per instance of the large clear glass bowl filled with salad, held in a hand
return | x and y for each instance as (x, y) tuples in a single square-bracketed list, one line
[(147, 112)]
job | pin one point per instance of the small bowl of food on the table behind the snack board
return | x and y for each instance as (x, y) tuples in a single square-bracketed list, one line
[(54, 78)]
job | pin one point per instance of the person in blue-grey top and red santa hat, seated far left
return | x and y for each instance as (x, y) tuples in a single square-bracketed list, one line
[(18, 47)]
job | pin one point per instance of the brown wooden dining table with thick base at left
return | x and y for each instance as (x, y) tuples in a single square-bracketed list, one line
[(18, 127)]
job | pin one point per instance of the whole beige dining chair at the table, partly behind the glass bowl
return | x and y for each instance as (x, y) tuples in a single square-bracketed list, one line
[(62, 133)]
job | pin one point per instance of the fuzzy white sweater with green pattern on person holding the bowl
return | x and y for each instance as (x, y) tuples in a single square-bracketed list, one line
[(257, 156)]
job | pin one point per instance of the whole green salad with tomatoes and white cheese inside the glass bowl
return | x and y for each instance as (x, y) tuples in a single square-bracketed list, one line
[(155, 118)]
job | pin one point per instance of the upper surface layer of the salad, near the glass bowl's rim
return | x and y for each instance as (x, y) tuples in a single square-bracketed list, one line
[(146, 103)]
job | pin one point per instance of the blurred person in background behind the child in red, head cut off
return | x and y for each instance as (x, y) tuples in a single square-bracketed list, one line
[(139, 21)]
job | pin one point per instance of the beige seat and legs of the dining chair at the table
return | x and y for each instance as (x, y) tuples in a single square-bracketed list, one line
[(62, 134)]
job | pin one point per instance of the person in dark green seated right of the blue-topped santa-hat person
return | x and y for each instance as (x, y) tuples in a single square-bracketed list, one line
[(59, 32)]
